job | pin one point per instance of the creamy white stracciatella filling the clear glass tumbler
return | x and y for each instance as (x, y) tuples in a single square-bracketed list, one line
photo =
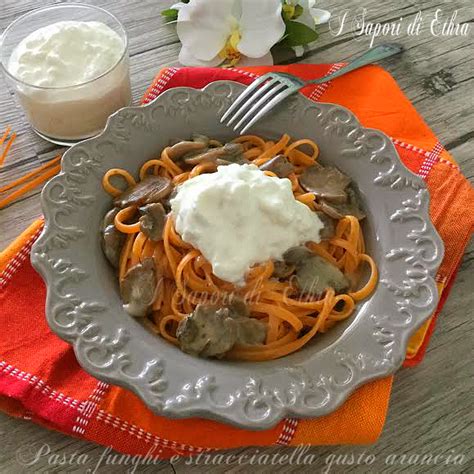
[(72, 75)]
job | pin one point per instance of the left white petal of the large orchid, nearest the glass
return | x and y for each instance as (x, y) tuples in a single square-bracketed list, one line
[(204, 26)]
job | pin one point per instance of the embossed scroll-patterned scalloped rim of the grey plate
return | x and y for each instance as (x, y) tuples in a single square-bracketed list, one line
[(255, 405)]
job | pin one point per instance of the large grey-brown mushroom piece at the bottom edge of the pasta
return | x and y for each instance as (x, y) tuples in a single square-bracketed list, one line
[(211, 331)]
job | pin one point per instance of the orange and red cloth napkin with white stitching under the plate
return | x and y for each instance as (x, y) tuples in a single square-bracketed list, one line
[(41, 379)]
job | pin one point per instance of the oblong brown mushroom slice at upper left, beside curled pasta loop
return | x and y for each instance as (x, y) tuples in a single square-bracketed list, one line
[(151, 189)]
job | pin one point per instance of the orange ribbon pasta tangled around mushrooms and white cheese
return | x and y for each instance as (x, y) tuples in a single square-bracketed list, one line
[(292, 319)]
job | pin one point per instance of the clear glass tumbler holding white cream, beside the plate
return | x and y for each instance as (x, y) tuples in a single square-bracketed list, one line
[(68, 114)]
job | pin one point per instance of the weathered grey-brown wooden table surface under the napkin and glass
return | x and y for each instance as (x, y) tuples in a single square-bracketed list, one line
[(431, 407)]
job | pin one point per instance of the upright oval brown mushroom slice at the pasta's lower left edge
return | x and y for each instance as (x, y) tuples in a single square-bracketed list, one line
[(138, 288)]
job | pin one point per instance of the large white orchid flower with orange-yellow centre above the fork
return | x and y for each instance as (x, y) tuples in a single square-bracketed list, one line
[(215, 32)]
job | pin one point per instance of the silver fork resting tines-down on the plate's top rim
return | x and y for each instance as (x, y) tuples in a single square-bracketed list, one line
[(270, 89)]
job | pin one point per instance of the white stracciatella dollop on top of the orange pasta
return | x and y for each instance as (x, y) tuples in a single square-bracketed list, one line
[(238, 217)]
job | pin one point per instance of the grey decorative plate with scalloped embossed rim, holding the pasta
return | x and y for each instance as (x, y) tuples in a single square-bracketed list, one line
[(83, 304)]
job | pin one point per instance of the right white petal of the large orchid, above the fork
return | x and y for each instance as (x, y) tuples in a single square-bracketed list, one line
[(261, 26)]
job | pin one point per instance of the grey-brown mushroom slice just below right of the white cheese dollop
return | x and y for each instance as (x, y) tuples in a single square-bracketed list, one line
[(314, 274)]
